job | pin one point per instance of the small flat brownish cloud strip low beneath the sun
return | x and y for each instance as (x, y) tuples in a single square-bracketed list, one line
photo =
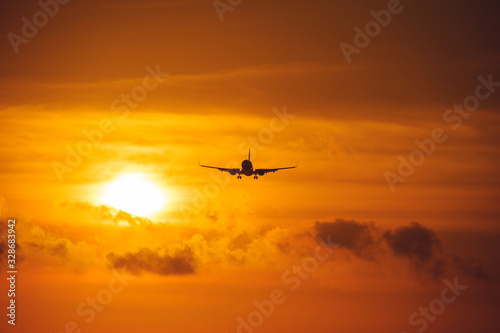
[(148, 260)]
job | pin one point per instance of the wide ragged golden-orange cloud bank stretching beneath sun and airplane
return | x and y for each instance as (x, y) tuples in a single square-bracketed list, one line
[(218, 243)]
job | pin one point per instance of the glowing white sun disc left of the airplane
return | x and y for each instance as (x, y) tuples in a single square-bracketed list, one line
[(134, 194)]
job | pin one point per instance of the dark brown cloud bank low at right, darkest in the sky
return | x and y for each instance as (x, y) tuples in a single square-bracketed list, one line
[(422, 247)]
